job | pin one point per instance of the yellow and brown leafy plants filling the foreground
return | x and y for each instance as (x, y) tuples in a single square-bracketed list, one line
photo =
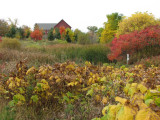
[(75, 91)]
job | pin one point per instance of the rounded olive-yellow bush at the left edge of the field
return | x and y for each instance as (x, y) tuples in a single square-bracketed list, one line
[(11, 43)]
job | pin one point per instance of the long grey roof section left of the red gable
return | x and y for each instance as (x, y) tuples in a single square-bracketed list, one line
[(46, 26)]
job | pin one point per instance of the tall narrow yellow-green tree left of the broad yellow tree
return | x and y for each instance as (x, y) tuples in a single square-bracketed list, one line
[(110, 27)]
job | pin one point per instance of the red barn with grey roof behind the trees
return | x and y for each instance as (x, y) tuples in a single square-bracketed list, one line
[(47, 26)]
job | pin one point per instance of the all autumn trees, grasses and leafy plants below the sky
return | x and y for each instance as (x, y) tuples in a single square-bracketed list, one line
[(50, 79)]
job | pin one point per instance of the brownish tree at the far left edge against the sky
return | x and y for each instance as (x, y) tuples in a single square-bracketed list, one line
[(4, 27)]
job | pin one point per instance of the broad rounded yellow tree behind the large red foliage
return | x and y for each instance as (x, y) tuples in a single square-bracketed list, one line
[(137, 21)]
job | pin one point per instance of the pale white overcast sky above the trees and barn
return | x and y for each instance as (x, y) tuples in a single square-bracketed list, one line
[(77, 13)]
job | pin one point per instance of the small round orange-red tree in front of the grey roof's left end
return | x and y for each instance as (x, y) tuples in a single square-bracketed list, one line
[(36, 35)]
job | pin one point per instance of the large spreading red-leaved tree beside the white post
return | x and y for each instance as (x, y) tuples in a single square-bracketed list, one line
[(135, 41)]
